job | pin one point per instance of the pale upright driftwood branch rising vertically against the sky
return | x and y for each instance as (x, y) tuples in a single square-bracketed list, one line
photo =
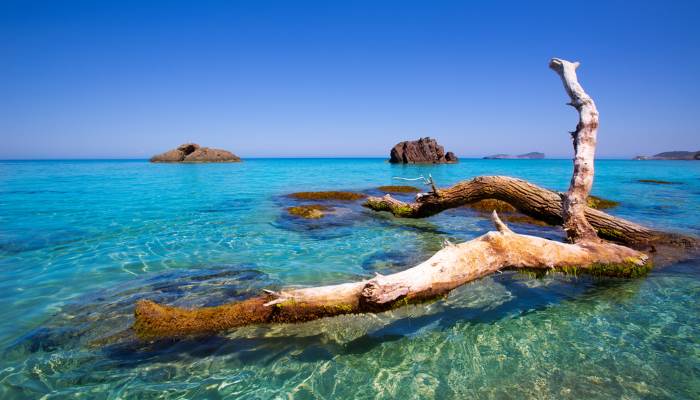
[(584, 137)]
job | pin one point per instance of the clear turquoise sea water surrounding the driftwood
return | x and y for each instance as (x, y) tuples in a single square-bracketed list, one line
[(81, 241)]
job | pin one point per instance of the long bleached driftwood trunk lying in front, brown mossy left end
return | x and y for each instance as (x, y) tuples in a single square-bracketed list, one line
[(449, 268)]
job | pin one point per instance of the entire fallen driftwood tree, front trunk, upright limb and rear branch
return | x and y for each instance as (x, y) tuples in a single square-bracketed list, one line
[(452, 266)]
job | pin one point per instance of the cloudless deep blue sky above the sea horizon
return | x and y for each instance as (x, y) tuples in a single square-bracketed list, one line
[(294, 78)]
